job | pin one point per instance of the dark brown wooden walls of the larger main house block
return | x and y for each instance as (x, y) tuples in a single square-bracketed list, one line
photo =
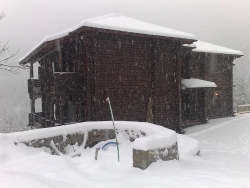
[(137, 72)]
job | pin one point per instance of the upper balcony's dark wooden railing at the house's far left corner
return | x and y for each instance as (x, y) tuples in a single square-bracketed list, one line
[(34, 88)]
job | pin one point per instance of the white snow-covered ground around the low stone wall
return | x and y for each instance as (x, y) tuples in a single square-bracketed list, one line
[(224, 162)]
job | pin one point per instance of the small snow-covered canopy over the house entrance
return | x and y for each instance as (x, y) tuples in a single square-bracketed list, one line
[(197, 83)]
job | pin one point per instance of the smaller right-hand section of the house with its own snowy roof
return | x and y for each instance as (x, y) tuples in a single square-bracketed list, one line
[(211, 63)]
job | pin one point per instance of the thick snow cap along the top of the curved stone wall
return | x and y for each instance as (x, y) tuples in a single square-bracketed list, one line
[(168, 136)]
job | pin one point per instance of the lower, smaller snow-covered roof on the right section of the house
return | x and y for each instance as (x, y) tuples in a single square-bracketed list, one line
[(202, 46)]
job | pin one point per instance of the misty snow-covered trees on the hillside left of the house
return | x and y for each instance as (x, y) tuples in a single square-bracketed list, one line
[(14, 105)]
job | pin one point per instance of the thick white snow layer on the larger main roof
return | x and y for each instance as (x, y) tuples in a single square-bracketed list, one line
[(119, 23)]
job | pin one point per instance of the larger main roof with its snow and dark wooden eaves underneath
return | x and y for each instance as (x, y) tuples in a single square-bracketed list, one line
[(112, 22)]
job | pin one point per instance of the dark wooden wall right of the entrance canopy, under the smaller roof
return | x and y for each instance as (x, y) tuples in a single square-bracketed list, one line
[(222, 75)]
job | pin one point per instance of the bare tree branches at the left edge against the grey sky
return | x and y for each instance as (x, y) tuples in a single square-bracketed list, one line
[(4, 52)]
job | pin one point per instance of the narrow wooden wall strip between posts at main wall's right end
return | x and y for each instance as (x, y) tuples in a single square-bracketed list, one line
[(167, 81)]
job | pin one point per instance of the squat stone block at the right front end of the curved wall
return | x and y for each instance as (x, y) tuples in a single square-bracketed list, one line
[(142, 159)]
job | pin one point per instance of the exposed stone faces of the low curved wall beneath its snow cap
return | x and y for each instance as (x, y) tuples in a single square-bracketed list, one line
[(141, 159)]
